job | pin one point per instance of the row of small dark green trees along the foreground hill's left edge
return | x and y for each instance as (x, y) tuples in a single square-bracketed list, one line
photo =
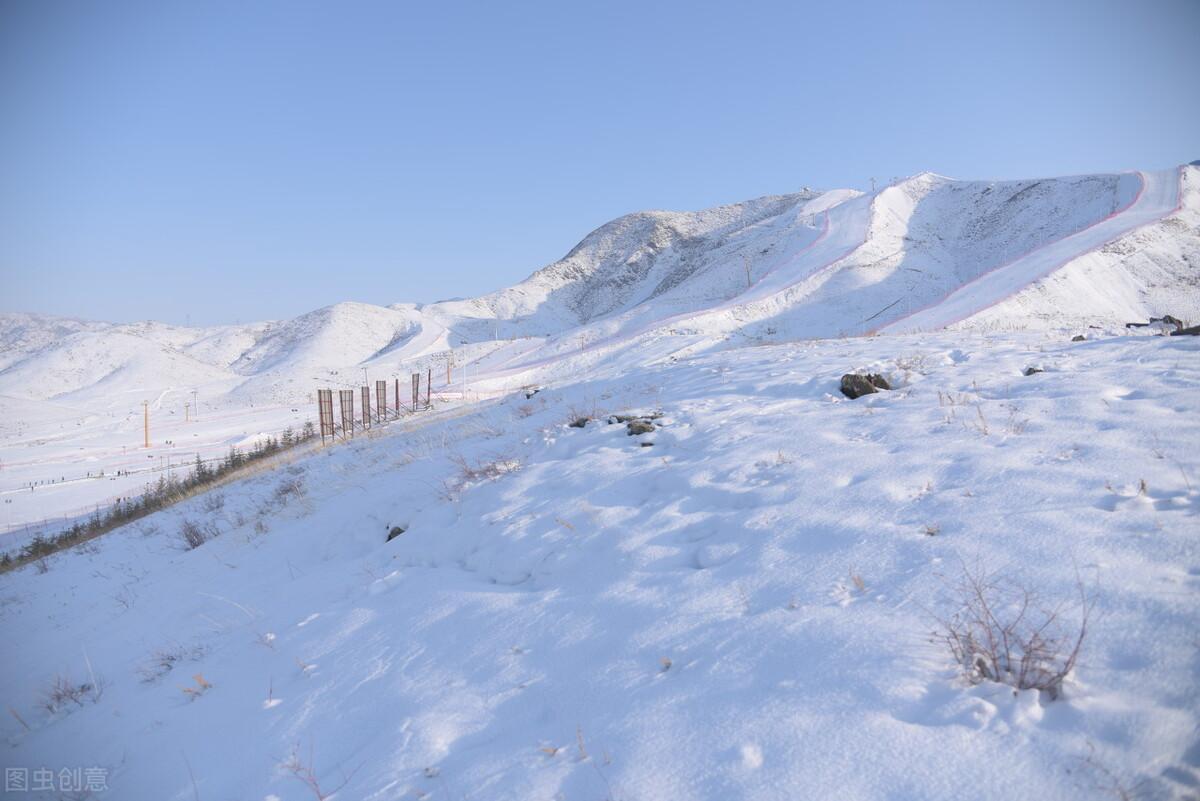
[(169, 490)]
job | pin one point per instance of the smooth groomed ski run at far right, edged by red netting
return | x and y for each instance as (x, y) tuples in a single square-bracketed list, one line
[(1160, 196)]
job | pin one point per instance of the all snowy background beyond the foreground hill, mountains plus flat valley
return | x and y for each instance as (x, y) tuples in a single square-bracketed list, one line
[(927, 252)]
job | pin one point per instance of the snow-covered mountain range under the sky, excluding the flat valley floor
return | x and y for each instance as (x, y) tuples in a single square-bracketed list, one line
[(927, 252)]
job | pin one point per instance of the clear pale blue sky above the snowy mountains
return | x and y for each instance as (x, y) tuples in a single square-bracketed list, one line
[(259, 159)]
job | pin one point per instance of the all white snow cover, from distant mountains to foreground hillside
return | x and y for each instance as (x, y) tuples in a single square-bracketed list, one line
[(740, 610)]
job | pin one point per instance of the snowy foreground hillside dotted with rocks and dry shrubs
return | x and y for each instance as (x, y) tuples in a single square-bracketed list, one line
[(740, 611)]
